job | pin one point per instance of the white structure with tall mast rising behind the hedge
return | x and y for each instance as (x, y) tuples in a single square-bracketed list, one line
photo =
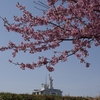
[(47, 89)]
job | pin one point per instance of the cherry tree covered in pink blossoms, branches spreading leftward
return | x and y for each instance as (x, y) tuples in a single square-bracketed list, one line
[(77, 21)]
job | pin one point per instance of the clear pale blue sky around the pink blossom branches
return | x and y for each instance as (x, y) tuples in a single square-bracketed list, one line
[(71, 77)]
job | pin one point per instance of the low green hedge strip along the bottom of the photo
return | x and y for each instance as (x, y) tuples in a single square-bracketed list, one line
[(12, 96)]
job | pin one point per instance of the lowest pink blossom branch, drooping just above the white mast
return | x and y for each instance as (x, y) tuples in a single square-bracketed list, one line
[(45, 62)]
